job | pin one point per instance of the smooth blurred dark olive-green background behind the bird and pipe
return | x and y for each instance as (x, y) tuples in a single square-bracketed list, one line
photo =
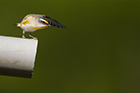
[(98, 52)]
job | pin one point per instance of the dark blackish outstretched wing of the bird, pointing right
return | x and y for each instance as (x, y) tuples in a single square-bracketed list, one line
[(53, 22)]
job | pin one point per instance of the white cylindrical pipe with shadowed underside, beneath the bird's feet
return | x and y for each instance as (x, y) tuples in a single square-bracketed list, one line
[(17, 56)]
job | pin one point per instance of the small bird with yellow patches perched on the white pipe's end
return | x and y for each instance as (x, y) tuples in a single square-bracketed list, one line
[(34, 22)]
